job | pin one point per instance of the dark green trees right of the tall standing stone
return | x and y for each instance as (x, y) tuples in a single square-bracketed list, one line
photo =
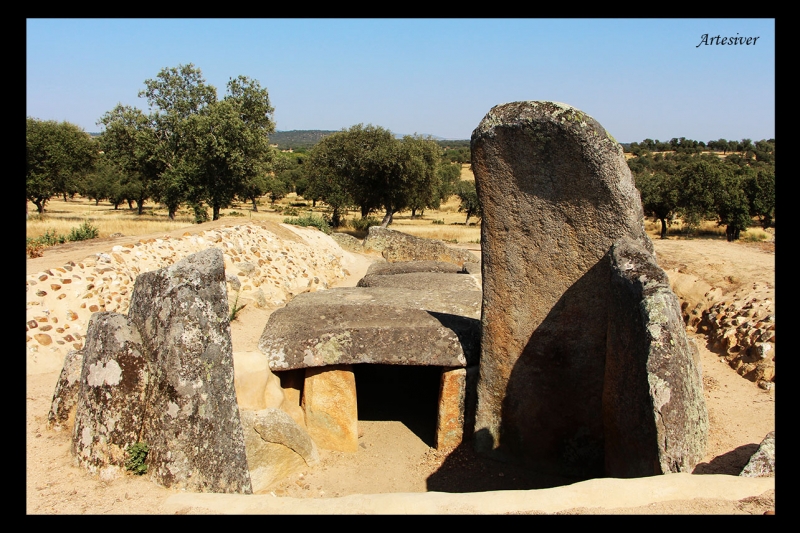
[(736, 190)]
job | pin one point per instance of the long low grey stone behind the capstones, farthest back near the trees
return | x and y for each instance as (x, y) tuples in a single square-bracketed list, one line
[(396, 246)]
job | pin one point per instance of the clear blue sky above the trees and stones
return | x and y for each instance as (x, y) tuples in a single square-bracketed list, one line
[(640, 78)]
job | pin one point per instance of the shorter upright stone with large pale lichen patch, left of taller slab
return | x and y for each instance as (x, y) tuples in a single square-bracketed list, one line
[(110, 407)]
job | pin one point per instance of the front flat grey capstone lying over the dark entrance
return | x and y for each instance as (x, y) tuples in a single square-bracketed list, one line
[(379, 325)]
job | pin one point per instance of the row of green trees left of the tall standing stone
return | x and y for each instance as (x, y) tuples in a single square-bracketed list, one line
[(192, 148)]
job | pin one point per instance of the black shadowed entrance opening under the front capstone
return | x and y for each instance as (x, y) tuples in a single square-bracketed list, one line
[(408, 394)]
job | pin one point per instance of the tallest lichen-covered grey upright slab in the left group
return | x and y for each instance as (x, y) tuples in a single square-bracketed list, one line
[(192, 425)]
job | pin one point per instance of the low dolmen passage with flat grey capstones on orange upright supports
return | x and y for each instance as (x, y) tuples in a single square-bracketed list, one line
[(401, 313)]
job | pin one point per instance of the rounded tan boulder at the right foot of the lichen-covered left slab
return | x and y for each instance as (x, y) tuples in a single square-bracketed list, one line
[(276, 447)]
